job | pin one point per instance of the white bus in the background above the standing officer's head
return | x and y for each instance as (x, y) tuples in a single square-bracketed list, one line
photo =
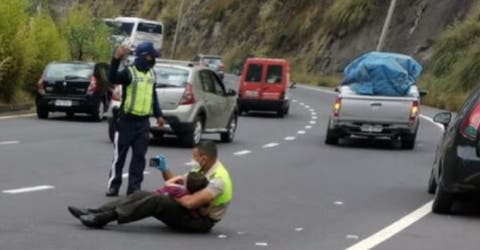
[(130, 31)]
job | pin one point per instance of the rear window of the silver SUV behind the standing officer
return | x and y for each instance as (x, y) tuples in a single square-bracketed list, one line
[(170, 77)]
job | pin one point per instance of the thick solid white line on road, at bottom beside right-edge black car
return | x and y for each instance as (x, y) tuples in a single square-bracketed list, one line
[(393, 229)]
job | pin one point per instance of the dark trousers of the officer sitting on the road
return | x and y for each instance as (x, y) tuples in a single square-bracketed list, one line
[(142, 204)]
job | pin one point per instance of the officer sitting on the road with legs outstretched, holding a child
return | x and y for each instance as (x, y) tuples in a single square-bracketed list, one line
[(210, 202)]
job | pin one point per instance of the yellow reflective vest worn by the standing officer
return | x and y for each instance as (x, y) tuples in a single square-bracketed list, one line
[(139, 93)]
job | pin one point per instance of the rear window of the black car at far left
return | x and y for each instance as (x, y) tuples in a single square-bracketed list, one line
[(68, 70)]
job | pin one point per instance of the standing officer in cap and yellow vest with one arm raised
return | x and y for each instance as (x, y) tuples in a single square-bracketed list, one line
[(139, 99)]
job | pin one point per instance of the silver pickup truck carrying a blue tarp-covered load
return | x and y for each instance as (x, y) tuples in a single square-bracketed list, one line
[(375, 116)]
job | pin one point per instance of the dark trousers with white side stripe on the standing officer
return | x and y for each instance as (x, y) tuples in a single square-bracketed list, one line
[(131, 132)]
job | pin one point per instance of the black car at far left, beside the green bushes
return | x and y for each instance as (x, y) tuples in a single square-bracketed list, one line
[(74, 87)]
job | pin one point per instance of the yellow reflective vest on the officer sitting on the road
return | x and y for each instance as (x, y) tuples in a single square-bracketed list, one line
[(221, 173)]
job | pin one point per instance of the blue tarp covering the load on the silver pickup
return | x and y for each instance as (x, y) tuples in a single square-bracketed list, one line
[(380, 73)]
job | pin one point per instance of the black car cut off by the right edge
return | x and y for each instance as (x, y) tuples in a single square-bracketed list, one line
[(456, 169)]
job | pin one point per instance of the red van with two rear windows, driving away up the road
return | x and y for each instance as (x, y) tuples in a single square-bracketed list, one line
[(263, 86)]
